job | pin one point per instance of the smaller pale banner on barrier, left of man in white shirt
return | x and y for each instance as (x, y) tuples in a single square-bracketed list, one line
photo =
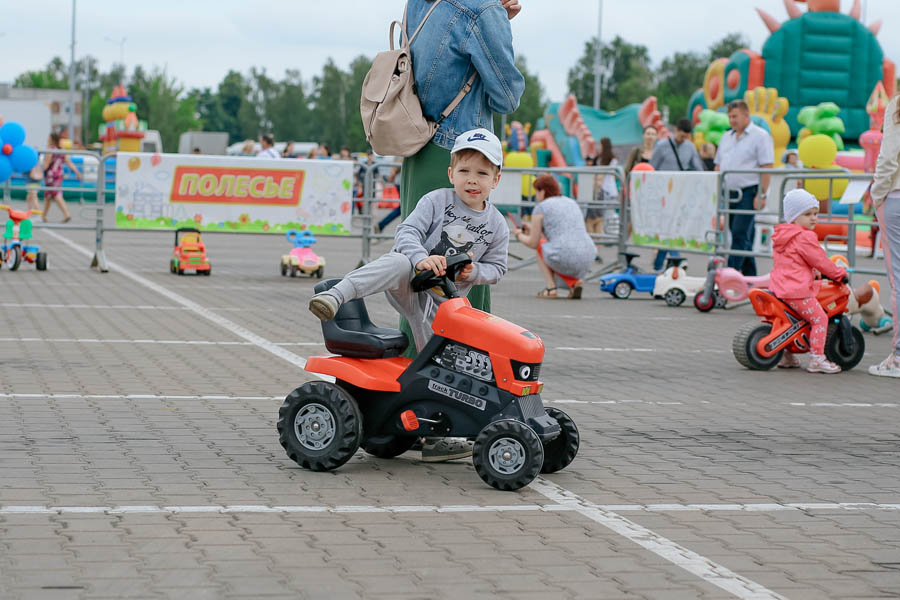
[(676, 209)]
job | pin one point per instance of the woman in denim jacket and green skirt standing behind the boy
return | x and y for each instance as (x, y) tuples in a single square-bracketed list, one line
[(460, 37)]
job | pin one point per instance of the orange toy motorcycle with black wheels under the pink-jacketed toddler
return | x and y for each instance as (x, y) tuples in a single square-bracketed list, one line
[(759, 346)]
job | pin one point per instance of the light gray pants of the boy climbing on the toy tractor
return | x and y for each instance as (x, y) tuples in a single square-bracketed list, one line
[(392, 274)]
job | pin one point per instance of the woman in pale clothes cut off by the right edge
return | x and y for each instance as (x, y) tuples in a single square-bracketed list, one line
[(886, 199)]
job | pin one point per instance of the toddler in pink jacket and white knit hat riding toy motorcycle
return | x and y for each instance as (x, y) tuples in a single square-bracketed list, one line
[(798, 258)]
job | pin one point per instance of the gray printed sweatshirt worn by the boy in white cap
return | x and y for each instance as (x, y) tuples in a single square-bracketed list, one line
[(442, 224)]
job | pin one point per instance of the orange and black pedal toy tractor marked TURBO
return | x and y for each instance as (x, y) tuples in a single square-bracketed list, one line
[(477, 377)]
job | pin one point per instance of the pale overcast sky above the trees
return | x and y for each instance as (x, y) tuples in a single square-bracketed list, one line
[(198, 41)]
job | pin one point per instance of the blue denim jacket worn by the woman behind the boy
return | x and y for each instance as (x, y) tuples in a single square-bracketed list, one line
[(459, 38)]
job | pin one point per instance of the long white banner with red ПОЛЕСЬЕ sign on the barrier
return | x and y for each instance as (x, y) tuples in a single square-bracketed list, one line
[(230, 193)]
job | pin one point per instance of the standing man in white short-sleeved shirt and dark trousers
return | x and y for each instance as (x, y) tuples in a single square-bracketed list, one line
[(745, 146)]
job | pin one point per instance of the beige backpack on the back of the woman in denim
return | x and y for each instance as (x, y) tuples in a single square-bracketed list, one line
[(391, 113)]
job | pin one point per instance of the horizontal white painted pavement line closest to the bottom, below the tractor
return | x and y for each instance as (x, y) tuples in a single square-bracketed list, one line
[(566, 506)]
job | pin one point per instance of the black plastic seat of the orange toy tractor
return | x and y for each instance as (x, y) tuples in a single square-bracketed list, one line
[(352, 334)]
